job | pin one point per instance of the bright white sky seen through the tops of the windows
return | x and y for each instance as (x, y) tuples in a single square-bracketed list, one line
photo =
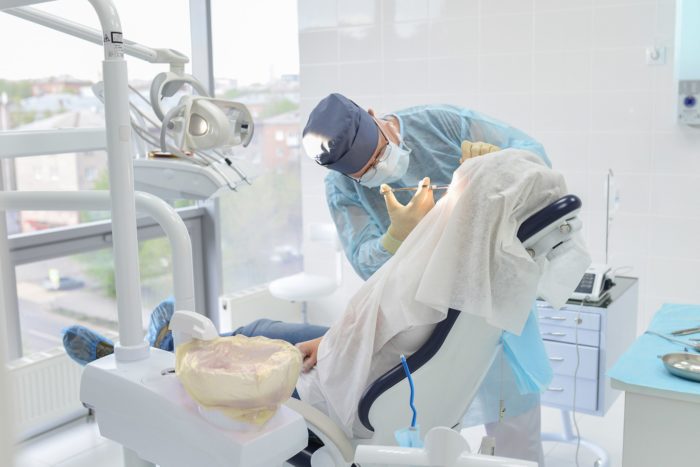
[(249, 41)]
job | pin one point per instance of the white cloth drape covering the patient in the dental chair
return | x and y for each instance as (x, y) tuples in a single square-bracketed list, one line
[(465, 255)]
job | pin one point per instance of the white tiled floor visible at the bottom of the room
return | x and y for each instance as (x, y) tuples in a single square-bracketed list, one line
[(79, 443)]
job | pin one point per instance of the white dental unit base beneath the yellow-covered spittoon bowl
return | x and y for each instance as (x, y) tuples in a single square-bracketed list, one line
[(143, 406)]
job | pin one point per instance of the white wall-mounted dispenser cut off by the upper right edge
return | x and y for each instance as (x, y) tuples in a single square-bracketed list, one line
[(688, 61)]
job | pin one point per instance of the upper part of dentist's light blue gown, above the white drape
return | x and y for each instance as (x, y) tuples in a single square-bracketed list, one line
[(434, 134)]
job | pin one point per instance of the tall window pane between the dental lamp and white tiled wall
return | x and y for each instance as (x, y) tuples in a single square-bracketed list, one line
[(261, 224)]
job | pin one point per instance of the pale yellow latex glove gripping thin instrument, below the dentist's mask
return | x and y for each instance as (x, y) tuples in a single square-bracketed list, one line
[(405, 218)]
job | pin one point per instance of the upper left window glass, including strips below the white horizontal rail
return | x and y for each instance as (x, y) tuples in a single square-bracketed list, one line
[(50, 87)]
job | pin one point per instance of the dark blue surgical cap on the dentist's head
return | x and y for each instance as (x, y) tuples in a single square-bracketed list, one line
[(340, 135)]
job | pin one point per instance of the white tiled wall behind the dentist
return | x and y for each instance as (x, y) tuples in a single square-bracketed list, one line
[(572, 73)]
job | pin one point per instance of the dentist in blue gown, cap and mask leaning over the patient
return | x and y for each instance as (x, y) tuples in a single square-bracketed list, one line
[(368, 155)]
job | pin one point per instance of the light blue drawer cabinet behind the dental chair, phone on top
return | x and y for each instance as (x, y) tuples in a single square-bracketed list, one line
[(605, 330)]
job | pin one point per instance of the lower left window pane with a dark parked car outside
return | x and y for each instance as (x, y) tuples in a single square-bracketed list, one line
[(79, 289)]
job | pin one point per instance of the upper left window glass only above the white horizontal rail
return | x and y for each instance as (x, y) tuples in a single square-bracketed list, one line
[(55, 80)]
